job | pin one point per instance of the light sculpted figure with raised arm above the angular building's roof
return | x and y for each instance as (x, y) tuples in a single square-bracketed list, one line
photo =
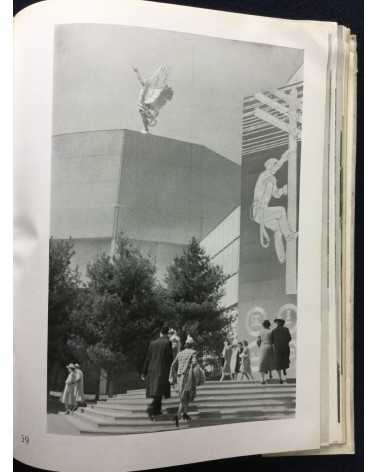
[(154, 94)]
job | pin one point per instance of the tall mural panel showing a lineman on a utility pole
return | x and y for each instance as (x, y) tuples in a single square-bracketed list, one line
[(269, 214)]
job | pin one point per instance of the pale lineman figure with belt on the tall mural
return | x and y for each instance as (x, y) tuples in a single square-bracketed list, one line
[(271, 217)]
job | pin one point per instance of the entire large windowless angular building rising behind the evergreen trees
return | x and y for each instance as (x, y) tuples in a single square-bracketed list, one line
[(157, 191)]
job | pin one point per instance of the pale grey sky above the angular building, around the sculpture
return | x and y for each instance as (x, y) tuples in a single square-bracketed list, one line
[(95, 87)]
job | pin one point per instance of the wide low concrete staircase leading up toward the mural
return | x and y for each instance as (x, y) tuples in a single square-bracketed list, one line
[(216, 403)]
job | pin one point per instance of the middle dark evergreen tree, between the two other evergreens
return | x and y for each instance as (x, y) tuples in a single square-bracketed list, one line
[(121, 310)]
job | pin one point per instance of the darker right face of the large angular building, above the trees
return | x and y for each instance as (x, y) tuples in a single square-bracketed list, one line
[(172, 190)]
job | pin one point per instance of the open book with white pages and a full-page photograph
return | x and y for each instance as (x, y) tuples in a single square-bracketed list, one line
[(184, 201)]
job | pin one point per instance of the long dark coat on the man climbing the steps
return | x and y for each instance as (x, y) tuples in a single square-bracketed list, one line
[(157, 366)]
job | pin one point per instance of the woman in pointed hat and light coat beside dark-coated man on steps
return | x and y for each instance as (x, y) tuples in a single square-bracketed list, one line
[(186, 373)]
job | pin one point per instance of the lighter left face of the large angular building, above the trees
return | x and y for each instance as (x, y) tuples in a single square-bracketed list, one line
[(84, 183)]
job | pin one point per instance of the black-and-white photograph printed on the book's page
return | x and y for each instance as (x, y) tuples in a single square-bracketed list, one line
[(175, 167)]
